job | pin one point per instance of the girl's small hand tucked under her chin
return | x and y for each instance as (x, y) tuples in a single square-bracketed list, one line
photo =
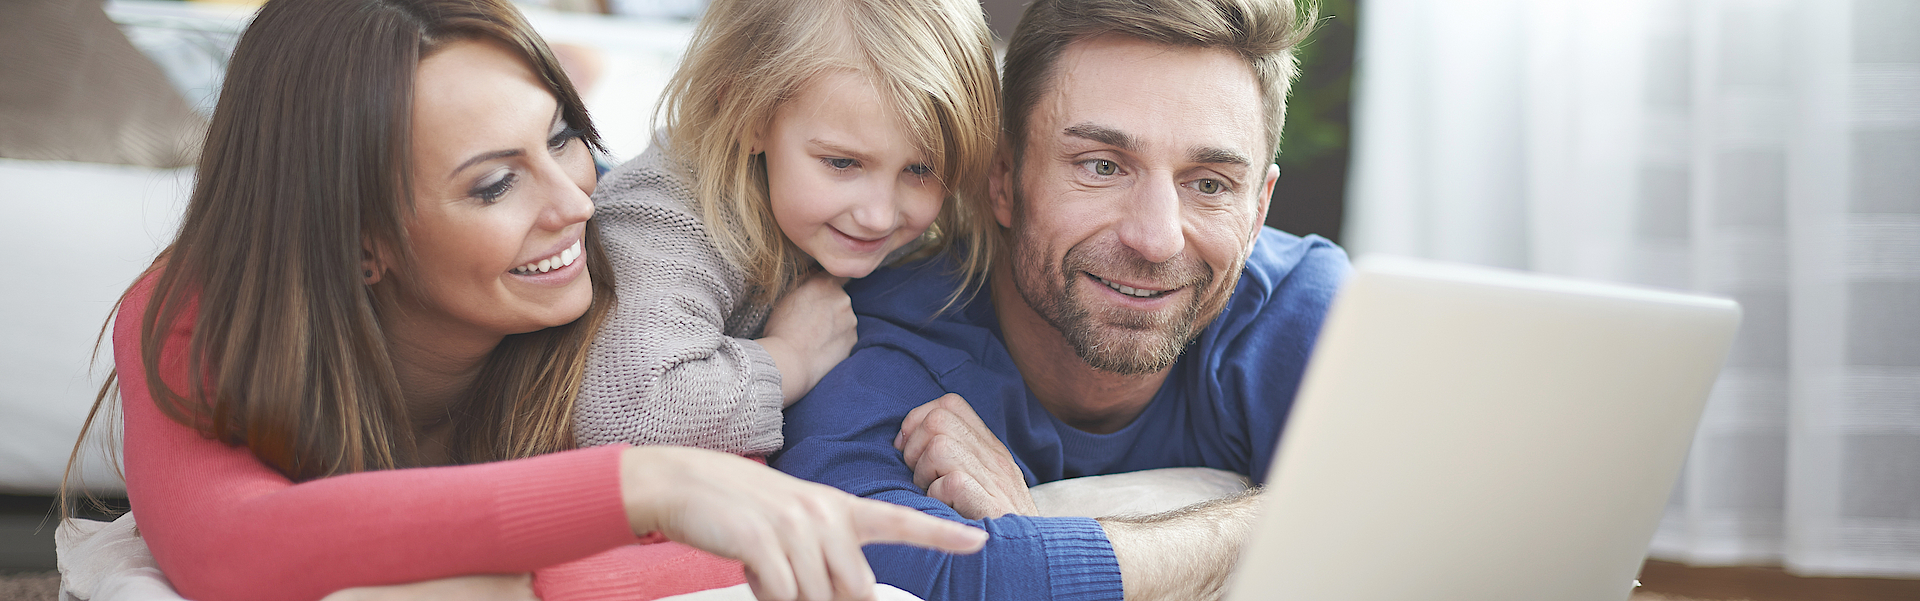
[(809, 331)]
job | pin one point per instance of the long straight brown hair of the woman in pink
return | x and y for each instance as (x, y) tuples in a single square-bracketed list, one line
[(304, 170)]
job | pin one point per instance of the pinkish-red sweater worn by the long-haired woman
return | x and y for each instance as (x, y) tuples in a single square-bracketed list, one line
[(222, 525)]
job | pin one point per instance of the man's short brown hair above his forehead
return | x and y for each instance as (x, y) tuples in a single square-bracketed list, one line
[(1260, 32)]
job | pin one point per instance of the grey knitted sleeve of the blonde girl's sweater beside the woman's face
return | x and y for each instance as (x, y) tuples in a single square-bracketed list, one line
[(675, 362)]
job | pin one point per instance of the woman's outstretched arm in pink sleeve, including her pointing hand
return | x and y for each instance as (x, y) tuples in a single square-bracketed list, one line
[(228, 527)]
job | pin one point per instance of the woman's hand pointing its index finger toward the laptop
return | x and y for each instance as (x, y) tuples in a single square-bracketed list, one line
[(800, 541)]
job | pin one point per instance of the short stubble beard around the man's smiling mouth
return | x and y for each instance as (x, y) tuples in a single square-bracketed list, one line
[(1132, 345)]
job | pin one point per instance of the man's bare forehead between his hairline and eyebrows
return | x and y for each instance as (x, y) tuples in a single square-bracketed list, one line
[(1174, 99)]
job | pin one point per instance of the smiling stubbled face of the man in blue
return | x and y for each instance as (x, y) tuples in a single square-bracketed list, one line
[(1141, 191)]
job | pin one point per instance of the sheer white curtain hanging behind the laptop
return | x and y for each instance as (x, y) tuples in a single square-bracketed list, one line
[(1767, 151)]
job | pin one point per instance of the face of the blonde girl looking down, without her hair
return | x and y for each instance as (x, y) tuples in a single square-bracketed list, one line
[(846, 178)]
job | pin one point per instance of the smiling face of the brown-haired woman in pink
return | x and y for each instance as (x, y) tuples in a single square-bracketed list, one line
[(500, 187)]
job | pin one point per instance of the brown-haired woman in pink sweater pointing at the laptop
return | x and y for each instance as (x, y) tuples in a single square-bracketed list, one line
[(385, 279)]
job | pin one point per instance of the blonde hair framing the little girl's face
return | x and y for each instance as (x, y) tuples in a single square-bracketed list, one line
[(930, 59)]
